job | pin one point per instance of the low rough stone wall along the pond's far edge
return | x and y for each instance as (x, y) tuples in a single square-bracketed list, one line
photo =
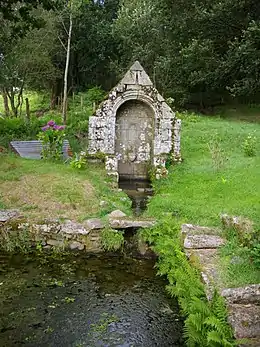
[(86, 236)]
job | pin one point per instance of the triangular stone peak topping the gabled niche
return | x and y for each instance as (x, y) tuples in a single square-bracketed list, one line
[(136, 75)]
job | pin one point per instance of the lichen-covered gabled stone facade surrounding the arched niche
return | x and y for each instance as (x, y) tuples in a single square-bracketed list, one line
[(102, 126)]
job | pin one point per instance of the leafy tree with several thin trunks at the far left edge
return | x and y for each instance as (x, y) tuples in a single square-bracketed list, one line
[(28, 62)]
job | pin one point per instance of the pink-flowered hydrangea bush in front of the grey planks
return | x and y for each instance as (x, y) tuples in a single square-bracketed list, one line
[(52, 136)]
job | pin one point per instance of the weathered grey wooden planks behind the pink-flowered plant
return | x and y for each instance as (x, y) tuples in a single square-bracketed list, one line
[(32, 149)]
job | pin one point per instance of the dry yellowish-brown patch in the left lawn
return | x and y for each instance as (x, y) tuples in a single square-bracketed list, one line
[(50, 196)]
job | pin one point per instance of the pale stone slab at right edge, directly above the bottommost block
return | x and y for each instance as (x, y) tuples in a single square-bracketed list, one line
[(244, 295)]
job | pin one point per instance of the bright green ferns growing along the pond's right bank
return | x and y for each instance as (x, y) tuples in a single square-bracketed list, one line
[(206, 322)]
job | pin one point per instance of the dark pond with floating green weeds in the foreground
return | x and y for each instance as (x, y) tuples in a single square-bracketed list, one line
[(81, 300)]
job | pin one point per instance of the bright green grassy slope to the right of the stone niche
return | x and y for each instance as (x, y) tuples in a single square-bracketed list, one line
[(198, 192)]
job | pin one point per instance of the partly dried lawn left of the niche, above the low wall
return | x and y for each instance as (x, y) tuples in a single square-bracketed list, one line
[(49, 190)]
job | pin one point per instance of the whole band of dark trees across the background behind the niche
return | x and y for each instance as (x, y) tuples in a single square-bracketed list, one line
[(200, 53)]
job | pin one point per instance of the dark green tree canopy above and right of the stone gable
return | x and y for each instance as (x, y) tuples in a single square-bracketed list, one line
[(199, 52)]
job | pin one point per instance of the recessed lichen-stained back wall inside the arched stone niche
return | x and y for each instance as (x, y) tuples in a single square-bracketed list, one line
[(134, 138)]
